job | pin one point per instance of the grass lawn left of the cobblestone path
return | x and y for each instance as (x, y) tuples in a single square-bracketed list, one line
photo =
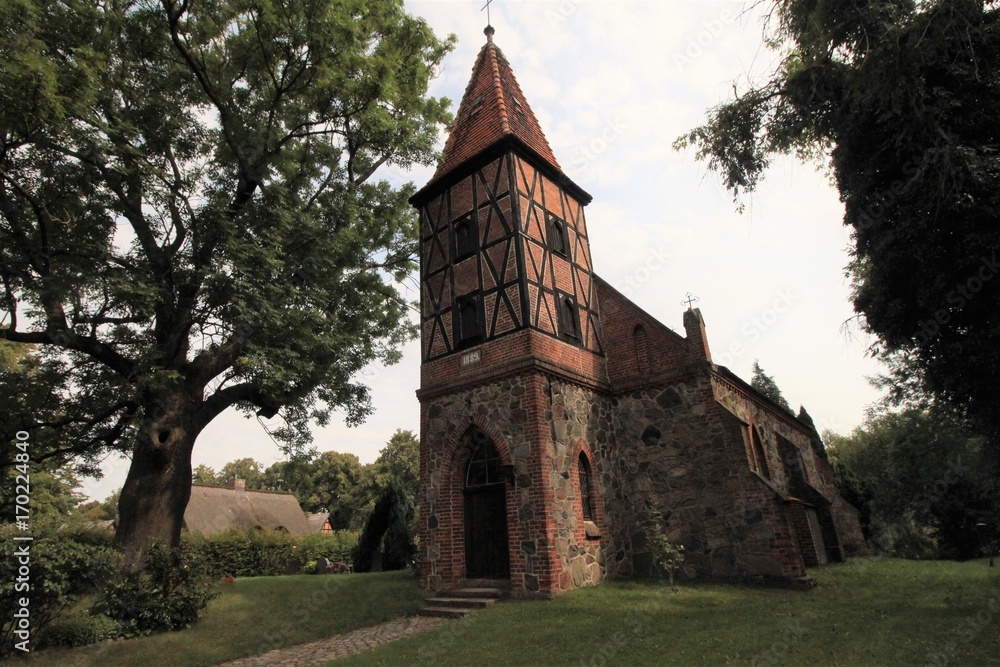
[(255, 615)]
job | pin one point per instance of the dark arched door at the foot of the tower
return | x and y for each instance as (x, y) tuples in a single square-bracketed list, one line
[(485, 511)]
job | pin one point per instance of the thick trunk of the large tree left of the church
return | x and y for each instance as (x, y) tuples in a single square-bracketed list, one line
[(158, 486)]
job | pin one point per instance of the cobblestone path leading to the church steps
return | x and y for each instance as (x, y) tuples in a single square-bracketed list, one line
[(339, 646)]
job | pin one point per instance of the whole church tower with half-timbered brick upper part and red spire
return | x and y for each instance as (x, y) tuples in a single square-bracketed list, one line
[(508, 309)]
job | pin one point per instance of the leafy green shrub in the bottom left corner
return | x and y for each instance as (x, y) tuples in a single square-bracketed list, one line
[(63, 566)]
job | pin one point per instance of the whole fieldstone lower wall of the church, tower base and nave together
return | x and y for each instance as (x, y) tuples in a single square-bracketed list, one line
[(681, 450)]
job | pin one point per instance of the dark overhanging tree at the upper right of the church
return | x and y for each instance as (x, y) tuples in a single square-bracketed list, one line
[(904, 96)]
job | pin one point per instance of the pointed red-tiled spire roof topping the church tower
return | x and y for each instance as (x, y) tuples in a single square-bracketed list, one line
[(493, 108)]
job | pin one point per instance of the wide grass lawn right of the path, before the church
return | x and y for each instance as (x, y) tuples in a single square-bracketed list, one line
[(866, 612)]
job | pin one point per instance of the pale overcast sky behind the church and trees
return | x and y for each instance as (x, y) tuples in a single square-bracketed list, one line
[(613, 83)]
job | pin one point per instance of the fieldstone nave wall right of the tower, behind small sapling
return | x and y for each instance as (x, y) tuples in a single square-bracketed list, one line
[(681, 454)]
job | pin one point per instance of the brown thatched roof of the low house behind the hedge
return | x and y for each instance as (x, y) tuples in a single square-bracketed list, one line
[(213, 509)]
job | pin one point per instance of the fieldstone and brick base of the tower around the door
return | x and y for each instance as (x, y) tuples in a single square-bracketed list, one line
[(548, 551)]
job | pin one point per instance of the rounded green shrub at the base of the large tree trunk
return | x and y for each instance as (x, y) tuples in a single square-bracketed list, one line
[(168, 593)]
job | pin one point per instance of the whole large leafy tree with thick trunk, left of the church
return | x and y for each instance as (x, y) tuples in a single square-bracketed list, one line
[(190, 219)]
